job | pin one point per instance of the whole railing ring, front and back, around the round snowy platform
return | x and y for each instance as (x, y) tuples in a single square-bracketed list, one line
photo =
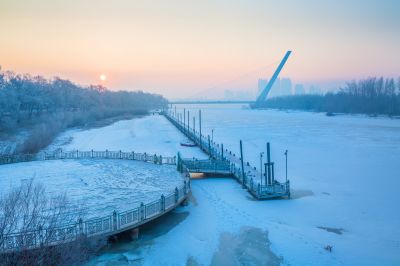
[(112, 224)]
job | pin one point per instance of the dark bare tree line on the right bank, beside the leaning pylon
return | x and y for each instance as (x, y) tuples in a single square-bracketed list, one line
[(371, 96)]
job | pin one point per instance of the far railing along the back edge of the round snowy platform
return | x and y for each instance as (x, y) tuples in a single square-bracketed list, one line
[(76, 154)]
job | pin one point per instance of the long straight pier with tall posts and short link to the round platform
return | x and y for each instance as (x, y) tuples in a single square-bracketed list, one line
[(227, 162)]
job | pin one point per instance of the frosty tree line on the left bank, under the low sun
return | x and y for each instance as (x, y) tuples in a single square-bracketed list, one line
[(44, 107)]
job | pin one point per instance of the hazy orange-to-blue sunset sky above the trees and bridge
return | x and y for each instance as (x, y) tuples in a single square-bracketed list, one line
[(185, 48)]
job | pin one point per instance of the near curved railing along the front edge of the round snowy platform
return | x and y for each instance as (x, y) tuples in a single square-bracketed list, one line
[(104, 226)]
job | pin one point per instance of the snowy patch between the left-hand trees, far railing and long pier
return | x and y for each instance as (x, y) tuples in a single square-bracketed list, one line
[(151, 134)]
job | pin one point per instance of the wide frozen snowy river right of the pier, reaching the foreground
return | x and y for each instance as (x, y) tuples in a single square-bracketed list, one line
[(344, 173)]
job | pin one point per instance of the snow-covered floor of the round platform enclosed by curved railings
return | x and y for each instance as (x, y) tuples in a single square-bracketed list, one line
[(97, 186)]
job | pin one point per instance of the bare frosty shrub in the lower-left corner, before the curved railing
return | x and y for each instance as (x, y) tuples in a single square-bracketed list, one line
[(42, 230)]
